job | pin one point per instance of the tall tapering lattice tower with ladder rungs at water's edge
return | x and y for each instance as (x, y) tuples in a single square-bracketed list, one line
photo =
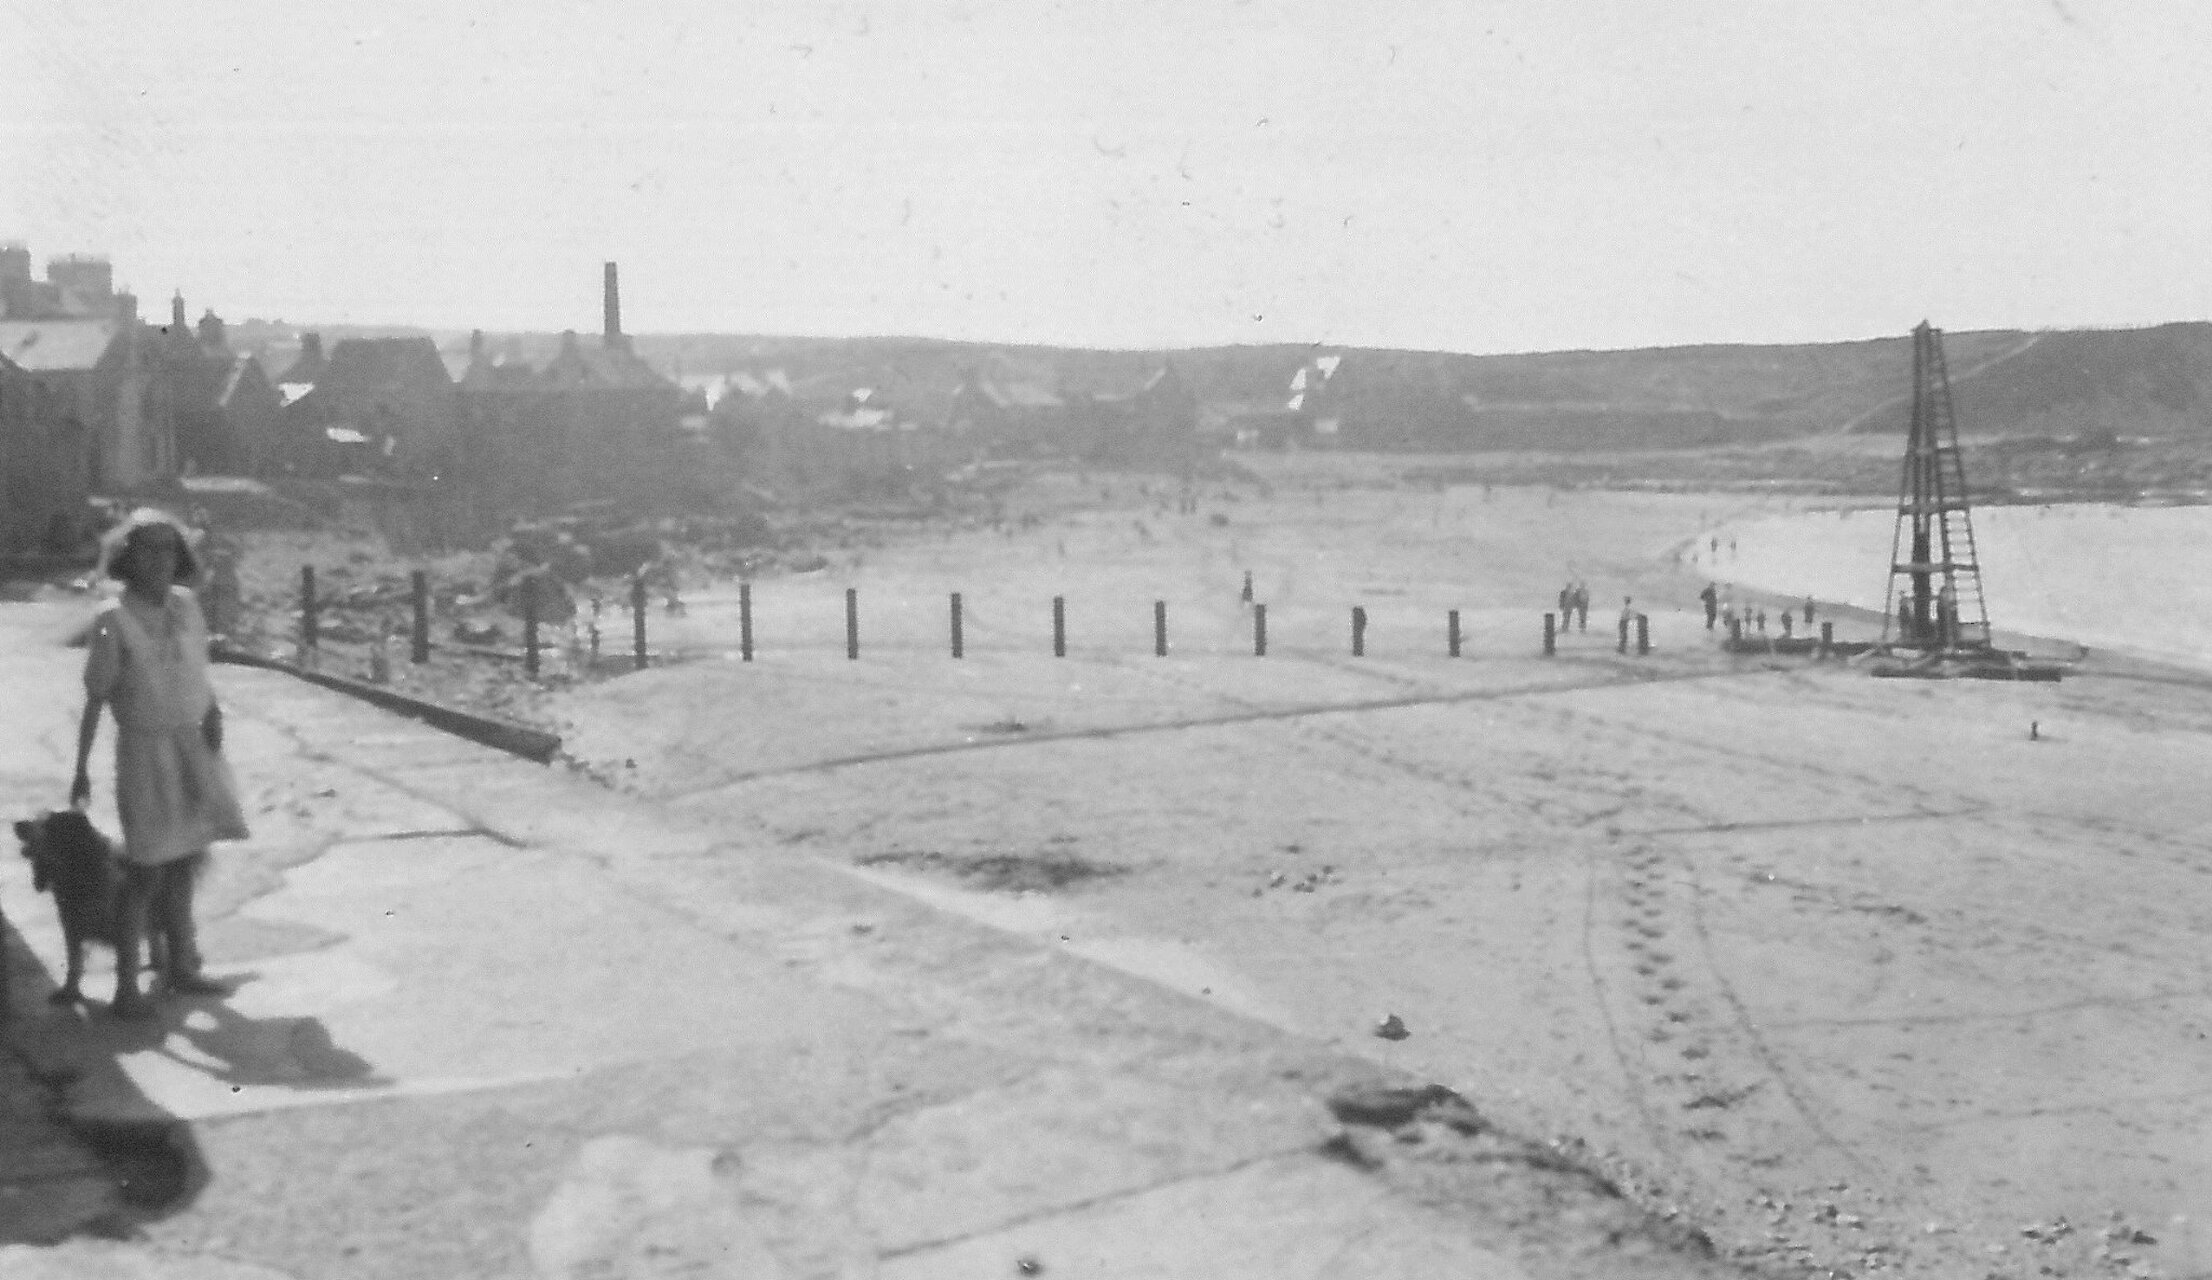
[(1934, 574)]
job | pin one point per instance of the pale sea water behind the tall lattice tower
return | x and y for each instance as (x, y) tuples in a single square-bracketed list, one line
[(2129, 578)]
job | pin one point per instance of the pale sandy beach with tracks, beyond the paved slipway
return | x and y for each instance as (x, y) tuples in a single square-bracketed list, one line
[(1855, 974)]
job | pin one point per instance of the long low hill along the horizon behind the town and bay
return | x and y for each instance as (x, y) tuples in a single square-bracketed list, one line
[(2149, 381)]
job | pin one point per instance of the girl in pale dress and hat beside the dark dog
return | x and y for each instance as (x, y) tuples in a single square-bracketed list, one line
[(147, 662)]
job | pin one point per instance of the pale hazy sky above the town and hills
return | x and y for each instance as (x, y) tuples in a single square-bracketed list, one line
[(1448, 174)]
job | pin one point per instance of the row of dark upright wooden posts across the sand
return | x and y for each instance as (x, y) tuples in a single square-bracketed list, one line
[(419, 649)]
